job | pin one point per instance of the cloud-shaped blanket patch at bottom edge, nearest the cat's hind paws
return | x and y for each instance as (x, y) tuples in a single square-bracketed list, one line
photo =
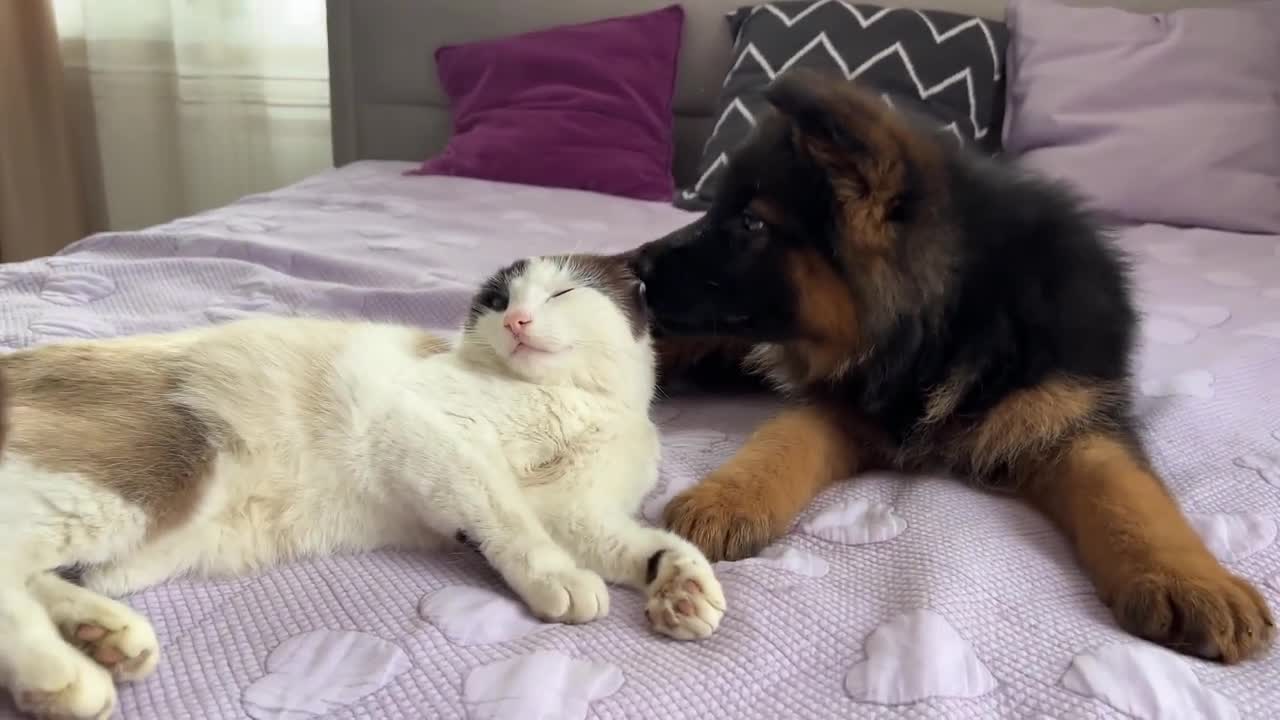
[(317, 673)]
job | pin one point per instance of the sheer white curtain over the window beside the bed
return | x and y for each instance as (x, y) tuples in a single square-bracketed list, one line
[(182, 106)]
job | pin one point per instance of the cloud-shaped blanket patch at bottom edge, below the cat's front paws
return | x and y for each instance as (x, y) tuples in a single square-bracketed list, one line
[(541, 685)]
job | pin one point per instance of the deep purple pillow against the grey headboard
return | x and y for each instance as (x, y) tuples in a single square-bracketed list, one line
[(583, 107)]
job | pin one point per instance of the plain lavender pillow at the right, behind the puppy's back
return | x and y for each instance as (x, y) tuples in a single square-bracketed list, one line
[(1165, 119)]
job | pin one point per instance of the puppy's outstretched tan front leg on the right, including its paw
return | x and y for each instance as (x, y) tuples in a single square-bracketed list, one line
[(1146, 560)]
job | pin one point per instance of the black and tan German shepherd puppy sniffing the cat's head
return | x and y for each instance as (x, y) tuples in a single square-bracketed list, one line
[(929, 309)]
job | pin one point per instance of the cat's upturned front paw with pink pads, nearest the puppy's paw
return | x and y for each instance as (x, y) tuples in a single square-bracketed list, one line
[(685, 599)]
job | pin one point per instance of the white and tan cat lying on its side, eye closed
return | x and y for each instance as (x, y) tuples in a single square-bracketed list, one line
[(225, 450)]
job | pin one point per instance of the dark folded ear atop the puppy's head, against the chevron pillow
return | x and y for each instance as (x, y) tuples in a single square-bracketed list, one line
[(812, 101)]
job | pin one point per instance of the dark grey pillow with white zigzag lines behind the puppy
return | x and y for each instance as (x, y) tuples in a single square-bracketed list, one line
[(943, 66)]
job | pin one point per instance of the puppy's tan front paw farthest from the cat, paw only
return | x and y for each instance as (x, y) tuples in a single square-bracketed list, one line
[(1197, 609)]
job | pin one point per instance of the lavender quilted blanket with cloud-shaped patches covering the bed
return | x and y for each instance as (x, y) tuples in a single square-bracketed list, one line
[(892, 599)]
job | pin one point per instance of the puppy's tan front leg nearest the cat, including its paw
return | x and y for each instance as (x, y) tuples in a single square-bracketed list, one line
[(753, 499)]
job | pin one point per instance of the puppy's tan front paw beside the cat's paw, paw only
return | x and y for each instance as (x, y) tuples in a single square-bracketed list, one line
[(723, 521)]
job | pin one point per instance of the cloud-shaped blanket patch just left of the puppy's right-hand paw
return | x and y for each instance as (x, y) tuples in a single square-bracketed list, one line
[(916, 657)]
